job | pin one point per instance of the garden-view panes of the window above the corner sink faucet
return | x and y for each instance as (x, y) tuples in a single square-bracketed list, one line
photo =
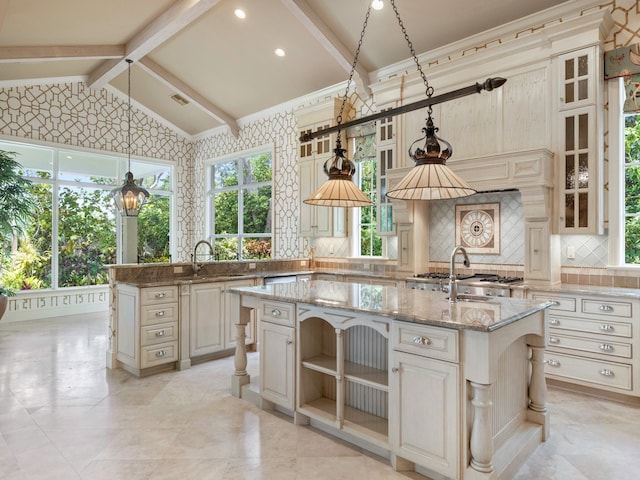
[(240, 206)]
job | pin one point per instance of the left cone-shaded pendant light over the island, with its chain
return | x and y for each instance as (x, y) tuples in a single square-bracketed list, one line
[(339, 190)]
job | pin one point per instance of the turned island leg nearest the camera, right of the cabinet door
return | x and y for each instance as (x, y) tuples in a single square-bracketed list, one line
[(481, 444)]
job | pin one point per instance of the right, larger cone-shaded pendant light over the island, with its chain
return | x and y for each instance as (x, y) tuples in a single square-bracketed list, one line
[(430, 179)]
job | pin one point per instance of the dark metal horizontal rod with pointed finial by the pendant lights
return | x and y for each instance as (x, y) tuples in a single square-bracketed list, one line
[(488, 85)]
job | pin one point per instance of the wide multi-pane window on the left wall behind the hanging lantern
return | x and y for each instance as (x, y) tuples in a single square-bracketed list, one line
[(72, 235)]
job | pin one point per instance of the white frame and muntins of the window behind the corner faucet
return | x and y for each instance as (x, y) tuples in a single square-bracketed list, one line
[(210, 195)]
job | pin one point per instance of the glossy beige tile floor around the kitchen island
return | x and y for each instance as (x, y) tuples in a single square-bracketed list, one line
[(63, 415)]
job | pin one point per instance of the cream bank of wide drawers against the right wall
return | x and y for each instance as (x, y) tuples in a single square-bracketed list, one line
[(591, 341)]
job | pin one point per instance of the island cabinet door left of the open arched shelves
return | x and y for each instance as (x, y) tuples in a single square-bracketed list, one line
[(277, 353)]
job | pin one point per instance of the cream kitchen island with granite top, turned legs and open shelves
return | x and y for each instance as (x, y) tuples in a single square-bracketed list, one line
[(452, 390)]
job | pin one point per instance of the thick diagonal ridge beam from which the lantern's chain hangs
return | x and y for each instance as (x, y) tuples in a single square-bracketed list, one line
[(163, 27)]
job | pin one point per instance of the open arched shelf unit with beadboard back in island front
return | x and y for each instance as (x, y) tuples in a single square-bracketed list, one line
[(342, 372)]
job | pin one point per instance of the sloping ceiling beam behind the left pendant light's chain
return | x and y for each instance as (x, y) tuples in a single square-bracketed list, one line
[(331, 43)]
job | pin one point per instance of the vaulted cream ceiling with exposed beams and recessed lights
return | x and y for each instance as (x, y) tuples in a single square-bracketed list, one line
[(225, 66)]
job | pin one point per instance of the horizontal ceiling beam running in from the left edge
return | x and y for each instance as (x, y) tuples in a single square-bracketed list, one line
[(57, 53)]
